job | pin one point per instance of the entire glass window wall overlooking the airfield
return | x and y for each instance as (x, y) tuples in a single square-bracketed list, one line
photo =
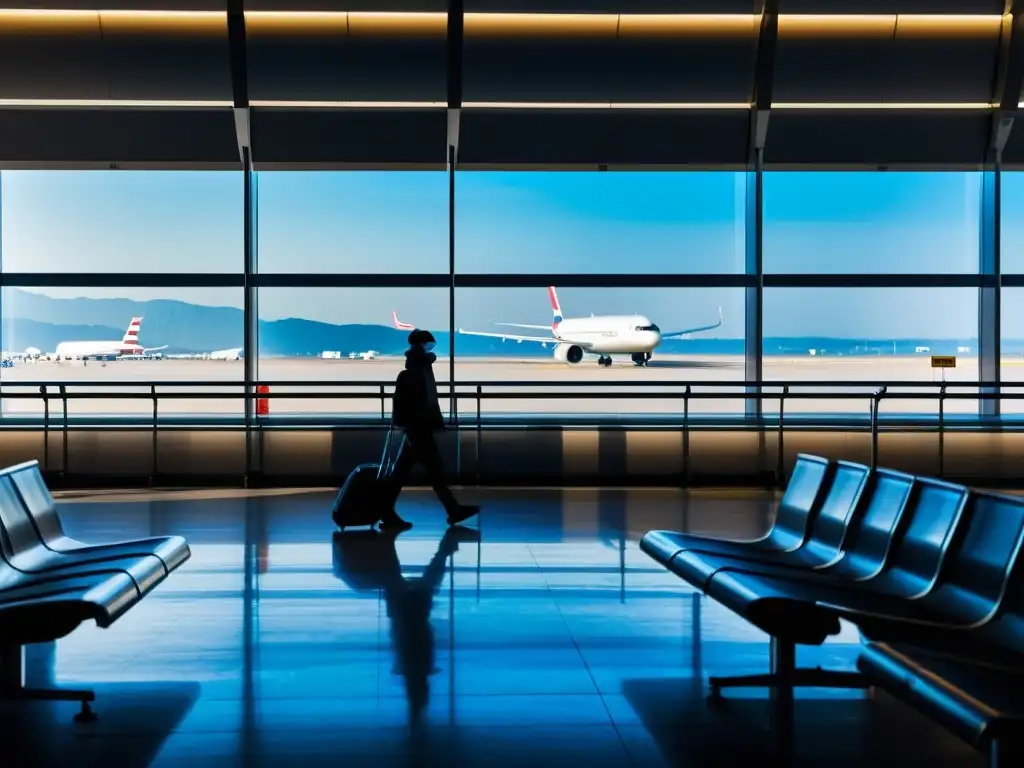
[(625, 287)]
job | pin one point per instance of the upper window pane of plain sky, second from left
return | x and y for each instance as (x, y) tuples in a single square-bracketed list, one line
[(354, 222)]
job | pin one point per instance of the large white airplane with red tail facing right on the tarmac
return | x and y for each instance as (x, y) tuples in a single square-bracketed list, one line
[(606, 335)]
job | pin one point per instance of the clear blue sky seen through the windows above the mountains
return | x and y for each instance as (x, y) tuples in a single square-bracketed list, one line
[(682, 223)]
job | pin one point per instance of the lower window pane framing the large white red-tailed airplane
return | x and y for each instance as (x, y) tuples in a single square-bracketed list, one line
[(606, 321)]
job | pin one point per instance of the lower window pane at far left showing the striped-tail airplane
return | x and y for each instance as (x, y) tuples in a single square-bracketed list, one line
[(94, 333)]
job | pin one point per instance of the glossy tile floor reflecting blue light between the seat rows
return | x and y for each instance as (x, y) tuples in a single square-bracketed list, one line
[(543, 638)]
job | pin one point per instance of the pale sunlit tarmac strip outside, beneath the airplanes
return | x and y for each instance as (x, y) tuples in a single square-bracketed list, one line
[(345, 387)]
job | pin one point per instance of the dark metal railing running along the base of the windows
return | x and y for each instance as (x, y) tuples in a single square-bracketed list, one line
[(686, 394)]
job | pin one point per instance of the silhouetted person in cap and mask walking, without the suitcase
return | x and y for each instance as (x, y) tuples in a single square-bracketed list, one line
[(417, 411)]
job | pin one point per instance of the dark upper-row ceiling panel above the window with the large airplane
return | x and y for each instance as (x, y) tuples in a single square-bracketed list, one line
[(609, 70)]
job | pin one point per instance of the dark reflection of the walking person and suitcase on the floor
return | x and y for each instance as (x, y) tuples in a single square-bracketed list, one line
[(368, 561)]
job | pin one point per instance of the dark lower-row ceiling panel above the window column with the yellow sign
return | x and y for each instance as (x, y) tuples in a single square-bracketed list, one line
[(878, 139)]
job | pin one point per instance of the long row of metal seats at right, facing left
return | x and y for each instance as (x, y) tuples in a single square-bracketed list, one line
[(931, 574)]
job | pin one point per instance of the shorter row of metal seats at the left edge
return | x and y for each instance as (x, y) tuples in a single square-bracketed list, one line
[(52, 584)]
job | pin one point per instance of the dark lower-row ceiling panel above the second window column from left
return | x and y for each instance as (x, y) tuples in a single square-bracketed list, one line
[(296, 139)]
